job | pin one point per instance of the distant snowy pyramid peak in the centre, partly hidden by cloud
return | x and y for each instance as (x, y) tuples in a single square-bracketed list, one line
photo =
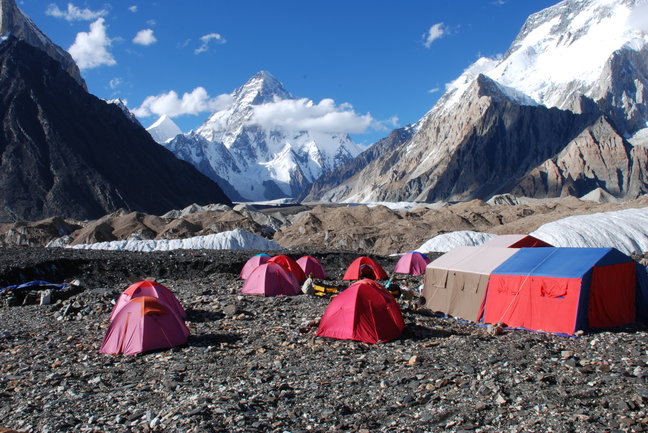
[(261, 161)]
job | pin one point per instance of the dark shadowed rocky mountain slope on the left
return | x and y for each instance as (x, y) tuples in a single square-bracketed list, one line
[(66, 153)]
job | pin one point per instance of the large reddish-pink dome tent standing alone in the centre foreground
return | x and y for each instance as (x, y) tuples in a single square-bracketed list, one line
[(363, 312)]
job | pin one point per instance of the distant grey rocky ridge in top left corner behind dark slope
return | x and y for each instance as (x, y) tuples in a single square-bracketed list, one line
[(14, 22)]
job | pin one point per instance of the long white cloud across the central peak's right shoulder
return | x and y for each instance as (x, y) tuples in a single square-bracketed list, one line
[(304, 114)]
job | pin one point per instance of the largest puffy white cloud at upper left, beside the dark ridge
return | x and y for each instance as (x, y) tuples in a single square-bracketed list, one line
[(90, 49)]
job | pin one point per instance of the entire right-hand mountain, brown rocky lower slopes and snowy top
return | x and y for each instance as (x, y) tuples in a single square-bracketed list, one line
[(563, 111)]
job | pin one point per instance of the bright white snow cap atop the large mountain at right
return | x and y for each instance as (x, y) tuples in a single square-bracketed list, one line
[(561, 53)]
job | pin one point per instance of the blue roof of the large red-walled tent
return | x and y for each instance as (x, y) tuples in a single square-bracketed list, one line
[(559, 262)]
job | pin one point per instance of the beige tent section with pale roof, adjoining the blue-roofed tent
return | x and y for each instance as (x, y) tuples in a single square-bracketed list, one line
[(456, 282)]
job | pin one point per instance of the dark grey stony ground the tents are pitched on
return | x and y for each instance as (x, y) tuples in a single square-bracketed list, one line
[(254, 364)]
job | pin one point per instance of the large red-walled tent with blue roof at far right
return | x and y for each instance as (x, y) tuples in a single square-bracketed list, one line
[(563, 290)]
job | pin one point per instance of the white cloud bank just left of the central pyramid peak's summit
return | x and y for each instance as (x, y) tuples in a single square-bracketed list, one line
[(196, 102)]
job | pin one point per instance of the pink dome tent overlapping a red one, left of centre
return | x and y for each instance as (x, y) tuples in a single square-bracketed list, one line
[(271, 279)]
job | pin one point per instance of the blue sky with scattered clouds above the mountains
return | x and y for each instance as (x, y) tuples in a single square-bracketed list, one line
[(383, 63)]
